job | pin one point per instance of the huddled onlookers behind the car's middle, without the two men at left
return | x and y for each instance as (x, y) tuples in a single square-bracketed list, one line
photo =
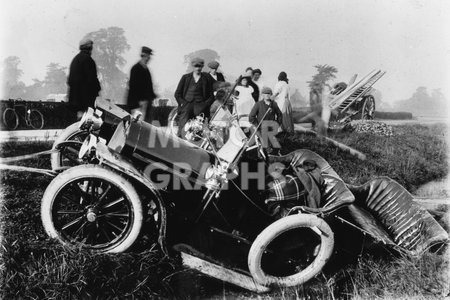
[(200, 93)]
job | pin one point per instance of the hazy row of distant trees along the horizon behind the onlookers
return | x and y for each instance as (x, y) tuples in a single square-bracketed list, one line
[(110, 44)]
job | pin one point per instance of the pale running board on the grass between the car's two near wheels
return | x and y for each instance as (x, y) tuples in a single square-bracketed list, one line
[(222, 273)]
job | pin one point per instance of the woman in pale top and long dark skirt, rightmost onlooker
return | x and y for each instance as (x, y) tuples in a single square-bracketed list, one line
[(281, 95)]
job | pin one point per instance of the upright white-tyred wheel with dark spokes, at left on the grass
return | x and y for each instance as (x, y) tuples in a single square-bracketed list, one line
[(91, 207)]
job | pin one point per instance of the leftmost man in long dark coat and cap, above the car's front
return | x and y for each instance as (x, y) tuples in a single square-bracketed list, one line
[(82, 81)]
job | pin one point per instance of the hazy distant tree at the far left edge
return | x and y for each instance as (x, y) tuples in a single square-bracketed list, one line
[(11, 86)]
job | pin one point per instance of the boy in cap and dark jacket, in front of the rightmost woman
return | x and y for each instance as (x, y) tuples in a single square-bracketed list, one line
[(269, 115)]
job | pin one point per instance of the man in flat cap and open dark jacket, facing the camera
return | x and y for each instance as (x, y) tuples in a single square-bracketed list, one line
[(194, 94)]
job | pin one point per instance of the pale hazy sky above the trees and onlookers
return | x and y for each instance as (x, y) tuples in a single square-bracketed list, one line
[(408, 39)]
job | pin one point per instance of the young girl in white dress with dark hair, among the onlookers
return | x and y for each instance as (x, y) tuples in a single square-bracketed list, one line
[(244, 101)]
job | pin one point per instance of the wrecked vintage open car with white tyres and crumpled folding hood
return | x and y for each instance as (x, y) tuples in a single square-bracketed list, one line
[(234, 213)]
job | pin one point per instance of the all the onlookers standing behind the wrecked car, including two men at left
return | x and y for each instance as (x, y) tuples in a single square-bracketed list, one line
[(197, 92)]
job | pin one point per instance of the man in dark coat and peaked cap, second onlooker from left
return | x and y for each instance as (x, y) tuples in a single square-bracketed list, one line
[(140, 87)]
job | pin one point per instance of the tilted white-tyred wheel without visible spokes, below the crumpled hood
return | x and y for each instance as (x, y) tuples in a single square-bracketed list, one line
[(290, 251)]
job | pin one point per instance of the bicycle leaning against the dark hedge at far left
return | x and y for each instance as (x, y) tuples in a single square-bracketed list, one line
[(32, 117)]
